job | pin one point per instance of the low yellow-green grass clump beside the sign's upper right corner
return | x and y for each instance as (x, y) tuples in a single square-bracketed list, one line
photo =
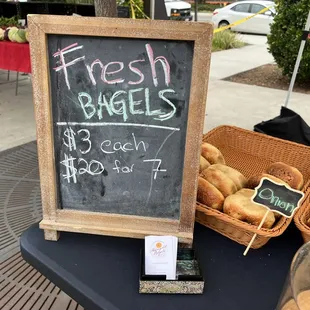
[(225, 40)]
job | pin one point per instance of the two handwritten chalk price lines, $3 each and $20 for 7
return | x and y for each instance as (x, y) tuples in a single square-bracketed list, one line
[(94, 167)]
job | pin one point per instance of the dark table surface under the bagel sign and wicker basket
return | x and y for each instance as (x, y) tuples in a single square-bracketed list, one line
[(103, 272)]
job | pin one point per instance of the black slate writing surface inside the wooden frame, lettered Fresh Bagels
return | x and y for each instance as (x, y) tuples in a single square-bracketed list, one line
[(119, 138)]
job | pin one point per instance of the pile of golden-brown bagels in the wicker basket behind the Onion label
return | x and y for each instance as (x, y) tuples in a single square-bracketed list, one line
[(227, 190)]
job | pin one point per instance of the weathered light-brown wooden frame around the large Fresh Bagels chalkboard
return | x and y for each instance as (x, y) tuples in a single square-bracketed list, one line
[(56, 219)]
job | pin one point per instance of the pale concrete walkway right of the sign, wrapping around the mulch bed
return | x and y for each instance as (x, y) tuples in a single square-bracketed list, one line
[(245, 105)]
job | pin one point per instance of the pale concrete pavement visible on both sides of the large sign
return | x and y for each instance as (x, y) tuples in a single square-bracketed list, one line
[(227, 103)]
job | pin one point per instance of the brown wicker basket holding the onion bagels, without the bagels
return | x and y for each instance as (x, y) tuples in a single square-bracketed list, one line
[(250, 153)]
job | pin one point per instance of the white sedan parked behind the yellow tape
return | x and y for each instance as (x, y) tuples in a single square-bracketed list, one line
[(238, 10)]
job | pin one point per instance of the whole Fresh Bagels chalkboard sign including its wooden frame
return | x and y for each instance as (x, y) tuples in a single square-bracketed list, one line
[(119, 109)]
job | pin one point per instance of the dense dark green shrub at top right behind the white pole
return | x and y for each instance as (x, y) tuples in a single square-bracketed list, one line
[(285, 37)]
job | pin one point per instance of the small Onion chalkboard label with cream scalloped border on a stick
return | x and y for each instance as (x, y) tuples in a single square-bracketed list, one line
[(277, 197)]
